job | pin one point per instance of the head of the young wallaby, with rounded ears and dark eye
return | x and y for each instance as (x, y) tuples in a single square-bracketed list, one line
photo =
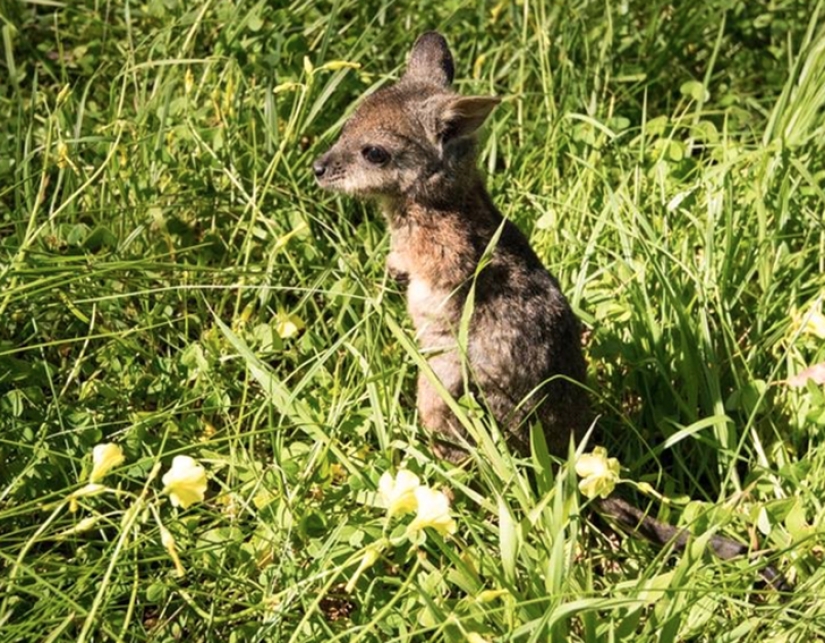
[(413, 139)]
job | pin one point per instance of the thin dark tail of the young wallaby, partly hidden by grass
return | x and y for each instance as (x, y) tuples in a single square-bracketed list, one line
[(633, 519)]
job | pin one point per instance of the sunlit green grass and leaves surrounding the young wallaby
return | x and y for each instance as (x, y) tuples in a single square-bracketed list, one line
[(159, 227)]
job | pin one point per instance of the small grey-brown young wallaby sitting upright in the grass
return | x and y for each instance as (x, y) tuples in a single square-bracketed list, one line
[(411, 146)]
